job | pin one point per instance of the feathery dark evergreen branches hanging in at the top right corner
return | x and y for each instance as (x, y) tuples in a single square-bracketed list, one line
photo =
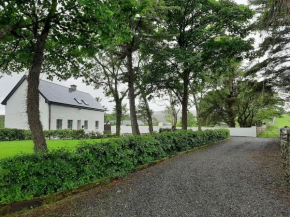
[(274, 22)]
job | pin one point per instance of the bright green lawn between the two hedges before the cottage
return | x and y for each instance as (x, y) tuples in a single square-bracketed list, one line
[(12, 148)]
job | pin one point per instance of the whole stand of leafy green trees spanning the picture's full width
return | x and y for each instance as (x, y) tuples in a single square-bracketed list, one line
[(186, 49)]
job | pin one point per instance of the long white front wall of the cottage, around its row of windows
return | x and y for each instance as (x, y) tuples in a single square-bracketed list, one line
[(69, 113)]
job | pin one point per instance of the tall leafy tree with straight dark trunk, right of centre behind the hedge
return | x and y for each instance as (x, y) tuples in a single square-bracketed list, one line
[(201, 33)]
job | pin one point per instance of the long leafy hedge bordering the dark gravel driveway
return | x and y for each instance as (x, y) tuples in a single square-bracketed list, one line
[(28, 176)]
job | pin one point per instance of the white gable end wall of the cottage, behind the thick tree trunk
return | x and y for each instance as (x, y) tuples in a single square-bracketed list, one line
[(15, 110)]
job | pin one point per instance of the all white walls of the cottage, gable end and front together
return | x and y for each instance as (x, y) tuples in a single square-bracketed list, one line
[(16, 117)]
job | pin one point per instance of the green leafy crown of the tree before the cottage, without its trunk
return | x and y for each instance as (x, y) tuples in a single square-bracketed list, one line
[(70, 34)]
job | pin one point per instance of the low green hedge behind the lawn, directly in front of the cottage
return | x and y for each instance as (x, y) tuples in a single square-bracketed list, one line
[(17, 134)]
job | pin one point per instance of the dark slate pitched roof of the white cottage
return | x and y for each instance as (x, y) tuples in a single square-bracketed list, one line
[(60, 95)]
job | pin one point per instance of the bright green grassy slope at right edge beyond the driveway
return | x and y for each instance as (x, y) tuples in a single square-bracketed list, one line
[(272, 131)]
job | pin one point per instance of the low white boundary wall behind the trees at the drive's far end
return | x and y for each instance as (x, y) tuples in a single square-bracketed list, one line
[(249, 132)]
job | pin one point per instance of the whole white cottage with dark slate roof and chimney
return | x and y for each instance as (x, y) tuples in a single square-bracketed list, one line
[(60, 108)]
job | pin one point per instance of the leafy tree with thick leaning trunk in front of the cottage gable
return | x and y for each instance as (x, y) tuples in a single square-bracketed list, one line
[(47, 37)]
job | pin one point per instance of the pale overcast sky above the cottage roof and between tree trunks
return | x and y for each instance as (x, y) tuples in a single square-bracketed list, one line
[(8, 82)]
